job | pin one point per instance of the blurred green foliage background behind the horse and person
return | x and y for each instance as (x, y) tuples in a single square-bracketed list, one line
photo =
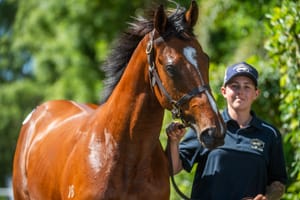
[(54, 50)]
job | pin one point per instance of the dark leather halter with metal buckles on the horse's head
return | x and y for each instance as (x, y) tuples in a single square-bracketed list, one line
[(154, 79)]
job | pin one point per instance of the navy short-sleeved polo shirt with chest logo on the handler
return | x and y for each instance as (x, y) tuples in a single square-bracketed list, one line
[(250, 159)]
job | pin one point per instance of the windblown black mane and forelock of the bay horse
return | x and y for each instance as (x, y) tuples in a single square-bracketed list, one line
[(125, 45)]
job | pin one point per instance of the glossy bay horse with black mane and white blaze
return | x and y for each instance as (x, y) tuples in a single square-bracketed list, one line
[(69, 150)]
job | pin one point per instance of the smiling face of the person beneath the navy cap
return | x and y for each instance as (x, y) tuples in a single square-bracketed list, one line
[(240, 93)]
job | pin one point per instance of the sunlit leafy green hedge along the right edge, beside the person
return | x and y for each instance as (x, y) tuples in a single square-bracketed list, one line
[(284, 49)]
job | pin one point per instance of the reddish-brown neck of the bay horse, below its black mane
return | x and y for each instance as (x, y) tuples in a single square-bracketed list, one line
[(133, 110)]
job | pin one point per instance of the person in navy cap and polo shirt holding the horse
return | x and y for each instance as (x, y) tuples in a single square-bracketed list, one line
[(250, 164)]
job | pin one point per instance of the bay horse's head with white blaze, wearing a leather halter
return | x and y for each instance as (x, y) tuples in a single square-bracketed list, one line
[(179, 74)]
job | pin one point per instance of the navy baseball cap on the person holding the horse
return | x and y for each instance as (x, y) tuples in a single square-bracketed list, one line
[(241, 69)]
